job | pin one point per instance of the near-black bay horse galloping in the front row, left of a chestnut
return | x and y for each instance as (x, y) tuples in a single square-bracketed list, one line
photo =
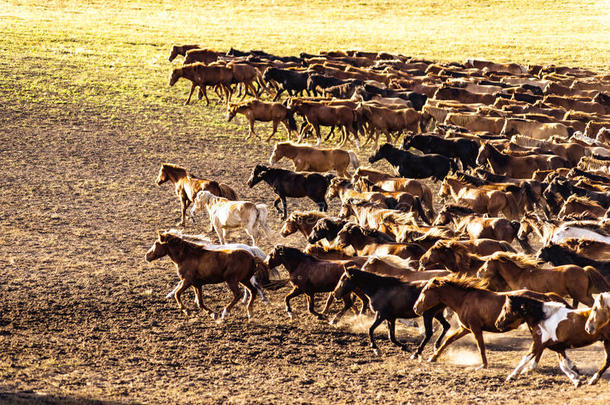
[(390, 298)]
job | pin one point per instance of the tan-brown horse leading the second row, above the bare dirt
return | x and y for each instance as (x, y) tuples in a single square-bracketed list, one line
[(256, 110)]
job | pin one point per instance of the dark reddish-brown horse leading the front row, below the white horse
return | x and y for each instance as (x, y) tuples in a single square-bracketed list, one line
[(197, 266)]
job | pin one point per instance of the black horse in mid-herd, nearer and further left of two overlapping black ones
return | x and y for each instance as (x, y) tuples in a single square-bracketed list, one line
[(413, 166)]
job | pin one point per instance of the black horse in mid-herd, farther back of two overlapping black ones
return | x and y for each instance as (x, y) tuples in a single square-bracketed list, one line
[(464, 149)]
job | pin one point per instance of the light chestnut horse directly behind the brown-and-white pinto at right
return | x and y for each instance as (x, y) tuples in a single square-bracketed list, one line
[(517, 271)]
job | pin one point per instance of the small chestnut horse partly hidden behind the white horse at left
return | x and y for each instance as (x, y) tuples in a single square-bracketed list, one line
[(187, 186)]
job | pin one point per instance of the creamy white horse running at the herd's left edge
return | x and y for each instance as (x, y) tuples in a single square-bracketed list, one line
[(226, 214)]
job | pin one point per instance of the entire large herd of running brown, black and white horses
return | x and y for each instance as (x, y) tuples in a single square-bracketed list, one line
[(520, 156)]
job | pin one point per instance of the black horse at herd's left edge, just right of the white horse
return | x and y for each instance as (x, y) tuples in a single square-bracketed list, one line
[(286, 183)]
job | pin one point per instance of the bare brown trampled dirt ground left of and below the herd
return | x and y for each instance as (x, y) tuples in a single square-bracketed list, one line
[(82, 316)]
